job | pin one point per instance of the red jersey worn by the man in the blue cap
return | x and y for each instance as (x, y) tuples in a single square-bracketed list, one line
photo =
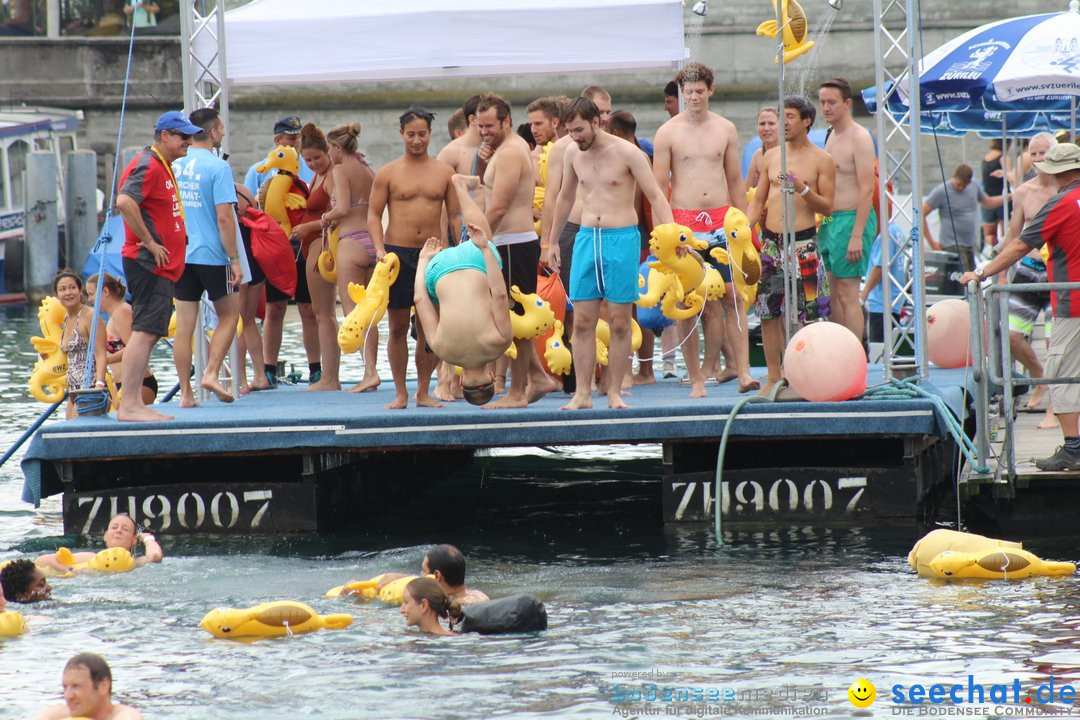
[(151, 184)]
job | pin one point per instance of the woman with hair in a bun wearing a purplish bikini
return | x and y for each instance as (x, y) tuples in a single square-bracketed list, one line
[(353, 185)]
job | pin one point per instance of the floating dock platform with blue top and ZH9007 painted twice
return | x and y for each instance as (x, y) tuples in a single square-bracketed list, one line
[(289, 460)]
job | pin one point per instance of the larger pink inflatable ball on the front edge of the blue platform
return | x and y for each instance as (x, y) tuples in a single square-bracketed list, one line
[(826, 363)]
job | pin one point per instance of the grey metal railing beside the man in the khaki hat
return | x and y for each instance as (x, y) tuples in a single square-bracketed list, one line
[(994, 365)]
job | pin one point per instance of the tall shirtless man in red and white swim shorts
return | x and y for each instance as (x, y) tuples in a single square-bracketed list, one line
[(698, 153)]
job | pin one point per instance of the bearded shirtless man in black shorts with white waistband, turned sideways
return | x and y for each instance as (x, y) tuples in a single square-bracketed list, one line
[(509, 187)]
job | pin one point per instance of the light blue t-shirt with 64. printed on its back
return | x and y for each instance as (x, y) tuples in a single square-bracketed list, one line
[(206, 183)]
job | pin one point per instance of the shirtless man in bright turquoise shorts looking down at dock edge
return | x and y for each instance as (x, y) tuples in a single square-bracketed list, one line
[(606, 172)]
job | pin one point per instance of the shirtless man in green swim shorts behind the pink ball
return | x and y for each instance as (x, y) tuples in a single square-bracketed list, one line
[(847, 235)]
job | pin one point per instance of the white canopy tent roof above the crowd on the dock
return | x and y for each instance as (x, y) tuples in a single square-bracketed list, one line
[(282, 42)]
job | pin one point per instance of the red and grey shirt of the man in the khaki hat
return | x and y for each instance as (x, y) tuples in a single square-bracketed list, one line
[(1058, 225)]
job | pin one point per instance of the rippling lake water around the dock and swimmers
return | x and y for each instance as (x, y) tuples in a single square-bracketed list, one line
[(786, 619)]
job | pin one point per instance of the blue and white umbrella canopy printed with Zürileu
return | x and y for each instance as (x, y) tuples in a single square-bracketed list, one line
[(1019, 61)]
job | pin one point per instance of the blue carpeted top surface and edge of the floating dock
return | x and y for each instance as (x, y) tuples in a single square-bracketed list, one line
[(287, 420)]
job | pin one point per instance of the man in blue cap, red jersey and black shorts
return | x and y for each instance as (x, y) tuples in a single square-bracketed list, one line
[(154, 251)]
